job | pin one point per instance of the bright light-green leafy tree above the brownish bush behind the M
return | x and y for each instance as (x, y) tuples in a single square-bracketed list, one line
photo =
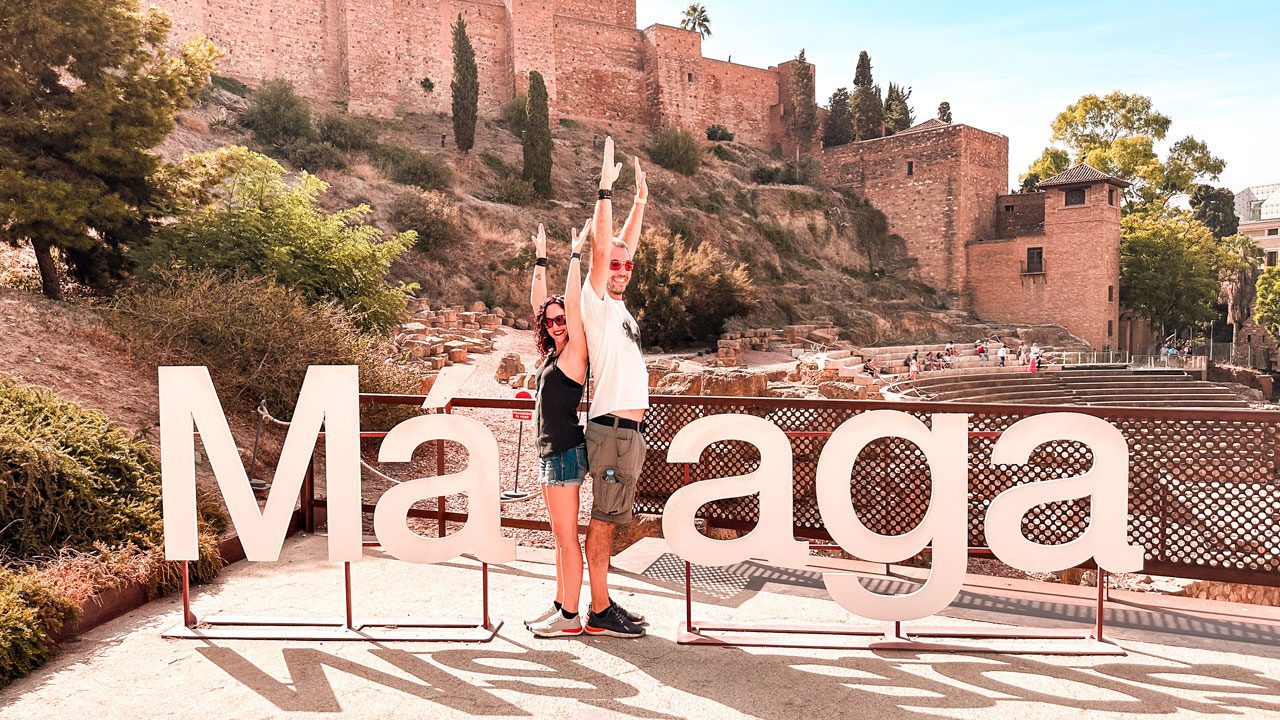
[(241, 215)]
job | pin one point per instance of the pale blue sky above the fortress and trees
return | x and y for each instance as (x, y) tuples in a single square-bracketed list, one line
[(1011, 69)]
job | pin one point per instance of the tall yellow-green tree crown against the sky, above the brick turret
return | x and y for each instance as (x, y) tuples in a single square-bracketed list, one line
[(1118, 135)]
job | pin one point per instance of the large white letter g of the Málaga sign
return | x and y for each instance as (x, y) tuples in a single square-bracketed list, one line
[(945, 522)]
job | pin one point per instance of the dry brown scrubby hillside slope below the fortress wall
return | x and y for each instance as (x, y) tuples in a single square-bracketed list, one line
[(808, 252)]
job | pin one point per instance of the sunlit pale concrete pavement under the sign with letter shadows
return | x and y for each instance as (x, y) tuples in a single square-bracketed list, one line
[(1195, 659)]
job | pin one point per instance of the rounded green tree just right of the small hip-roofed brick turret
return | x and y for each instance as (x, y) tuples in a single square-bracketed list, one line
[(1171, 268)]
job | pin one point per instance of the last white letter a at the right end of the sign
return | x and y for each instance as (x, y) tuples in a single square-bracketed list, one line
[(1107, 485)]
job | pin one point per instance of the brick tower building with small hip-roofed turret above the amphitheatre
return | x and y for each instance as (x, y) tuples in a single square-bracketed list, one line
[(1050, 257)]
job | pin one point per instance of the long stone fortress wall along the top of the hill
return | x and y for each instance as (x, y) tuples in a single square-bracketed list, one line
[(373, 56)]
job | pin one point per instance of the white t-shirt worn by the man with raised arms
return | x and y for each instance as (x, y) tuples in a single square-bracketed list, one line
[(614, 349)]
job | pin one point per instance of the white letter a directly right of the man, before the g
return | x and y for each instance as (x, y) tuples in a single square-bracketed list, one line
[(774, 537)]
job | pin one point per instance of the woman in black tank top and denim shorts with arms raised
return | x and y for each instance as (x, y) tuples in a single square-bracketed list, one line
[(561, 441)]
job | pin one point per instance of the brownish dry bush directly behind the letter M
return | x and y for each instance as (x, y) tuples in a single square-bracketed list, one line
[(257, 338)]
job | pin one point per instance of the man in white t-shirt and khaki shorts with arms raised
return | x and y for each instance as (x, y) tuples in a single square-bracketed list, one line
[(615, 430)]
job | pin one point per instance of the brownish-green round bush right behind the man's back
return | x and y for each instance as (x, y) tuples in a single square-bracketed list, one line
[(682, 295)]
